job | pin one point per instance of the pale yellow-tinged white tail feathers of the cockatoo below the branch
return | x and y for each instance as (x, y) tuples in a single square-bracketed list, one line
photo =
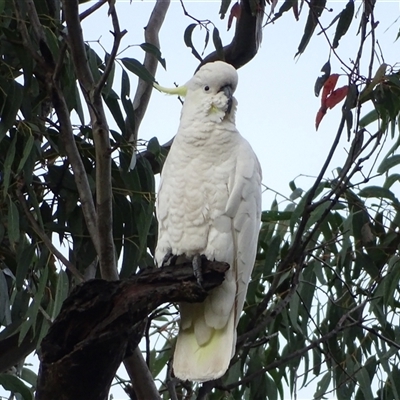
[(208, 361)]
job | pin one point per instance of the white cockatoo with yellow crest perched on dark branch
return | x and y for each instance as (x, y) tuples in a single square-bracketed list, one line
[(209, 203)]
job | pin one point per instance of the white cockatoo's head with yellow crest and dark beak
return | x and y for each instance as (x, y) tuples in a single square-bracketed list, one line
[(210, 90)]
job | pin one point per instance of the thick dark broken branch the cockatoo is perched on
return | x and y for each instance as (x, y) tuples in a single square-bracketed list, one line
[(101, 321)]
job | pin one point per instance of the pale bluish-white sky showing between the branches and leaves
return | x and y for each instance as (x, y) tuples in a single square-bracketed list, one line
[(277, 105)]
